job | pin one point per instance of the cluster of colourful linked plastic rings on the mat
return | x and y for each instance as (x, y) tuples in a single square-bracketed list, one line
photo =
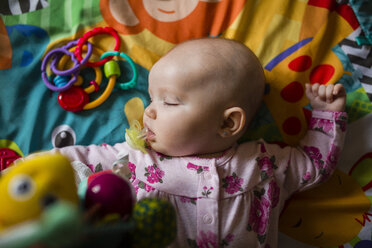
[(72, 97)]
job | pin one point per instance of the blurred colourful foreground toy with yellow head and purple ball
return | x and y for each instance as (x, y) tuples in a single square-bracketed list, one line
[(40, 207)]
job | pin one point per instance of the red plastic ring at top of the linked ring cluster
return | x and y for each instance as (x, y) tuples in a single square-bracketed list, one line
[(93, 32)]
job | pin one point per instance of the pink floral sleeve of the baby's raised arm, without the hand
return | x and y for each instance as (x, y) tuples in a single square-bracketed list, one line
[(315, 159)]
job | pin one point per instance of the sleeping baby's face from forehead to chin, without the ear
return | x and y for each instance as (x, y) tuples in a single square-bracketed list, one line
[(183, 117)]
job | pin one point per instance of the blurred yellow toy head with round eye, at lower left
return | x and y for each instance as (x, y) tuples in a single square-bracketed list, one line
[(33, 185)]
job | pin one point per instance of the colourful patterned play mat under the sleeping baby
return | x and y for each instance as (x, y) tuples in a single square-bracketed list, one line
[(297, 41)]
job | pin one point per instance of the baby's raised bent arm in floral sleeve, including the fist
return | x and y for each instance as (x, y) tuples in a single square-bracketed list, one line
[(315, 159)]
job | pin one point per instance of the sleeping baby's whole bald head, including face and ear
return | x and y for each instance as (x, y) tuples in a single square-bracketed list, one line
[(204, 94)]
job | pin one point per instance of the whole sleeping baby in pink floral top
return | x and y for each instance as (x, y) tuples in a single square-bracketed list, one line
[(204, 93)]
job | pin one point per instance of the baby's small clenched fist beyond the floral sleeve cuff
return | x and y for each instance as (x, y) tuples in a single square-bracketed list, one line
[(326, 97)]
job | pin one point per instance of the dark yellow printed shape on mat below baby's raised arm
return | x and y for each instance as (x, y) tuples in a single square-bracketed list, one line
[(340, 206)]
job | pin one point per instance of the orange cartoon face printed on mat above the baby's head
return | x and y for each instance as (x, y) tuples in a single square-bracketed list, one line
[(196, 18)]
